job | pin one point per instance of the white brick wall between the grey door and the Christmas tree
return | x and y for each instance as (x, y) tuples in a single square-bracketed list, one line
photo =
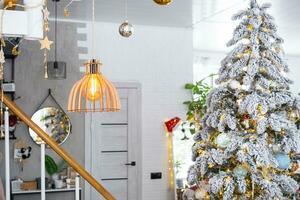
[(161, 59)]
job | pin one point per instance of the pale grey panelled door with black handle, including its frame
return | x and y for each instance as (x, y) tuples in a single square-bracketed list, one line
[(114, 147)]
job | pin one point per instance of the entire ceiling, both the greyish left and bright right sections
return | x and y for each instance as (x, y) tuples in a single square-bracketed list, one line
[(211, 19)]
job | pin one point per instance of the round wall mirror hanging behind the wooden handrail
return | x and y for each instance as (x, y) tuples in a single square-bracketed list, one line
[(54, 122)]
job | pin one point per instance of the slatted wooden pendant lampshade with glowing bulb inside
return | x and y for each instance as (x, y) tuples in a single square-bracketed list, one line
[(93, 93)]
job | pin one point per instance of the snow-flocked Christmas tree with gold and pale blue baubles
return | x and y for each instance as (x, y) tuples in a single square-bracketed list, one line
[(249, 141)]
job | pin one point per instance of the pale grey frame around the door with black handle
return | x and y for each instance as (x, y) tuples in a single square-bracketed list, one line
[(88, 142)]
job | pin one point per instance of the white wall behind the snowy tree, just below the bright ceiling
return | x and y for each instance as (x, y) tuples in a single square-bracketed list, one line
[(207, 62)]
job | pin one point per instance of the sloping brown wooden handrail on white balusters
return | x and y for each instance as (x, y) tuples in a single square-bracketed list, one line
[(61, 152)]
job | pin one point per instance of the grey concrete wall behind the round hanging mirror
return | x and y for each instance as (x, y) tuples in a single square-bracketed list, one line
[(32, 88)]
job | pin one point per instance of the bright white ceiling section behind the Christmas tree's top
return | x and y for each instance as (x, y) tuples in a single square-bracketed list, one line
[(212, 33)]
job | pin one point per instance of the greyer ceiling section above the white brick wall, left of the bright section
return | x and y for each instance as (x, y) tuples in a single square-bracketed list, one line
[(145, 12)]
